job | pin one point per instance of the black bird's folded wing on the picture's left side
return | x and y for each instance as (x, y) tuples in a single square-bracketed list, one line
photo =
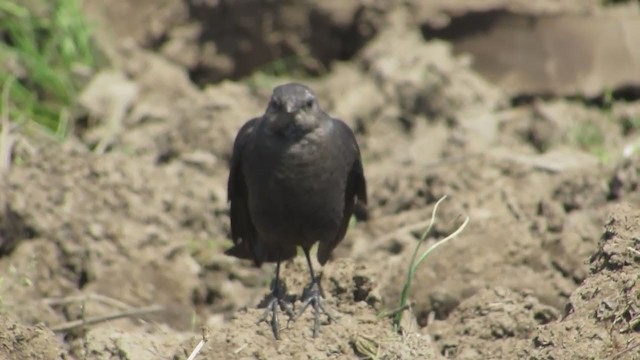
[(243, 232)]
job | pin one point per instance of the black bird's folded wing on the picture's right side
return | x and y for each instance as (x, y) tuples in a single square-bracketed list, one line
[(355, 190)]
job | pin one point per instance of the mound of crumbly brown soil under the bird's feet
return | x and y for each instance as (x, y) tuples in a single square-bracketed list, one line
[(357, 331)]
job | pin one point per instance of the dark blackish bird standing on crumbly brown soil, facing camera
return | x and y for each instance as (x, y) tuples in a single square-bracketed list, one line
[(296, 176)]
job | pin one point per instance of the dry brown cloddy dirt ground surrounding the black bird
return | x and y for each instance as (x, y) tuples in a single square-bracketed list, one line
[(129, 216)]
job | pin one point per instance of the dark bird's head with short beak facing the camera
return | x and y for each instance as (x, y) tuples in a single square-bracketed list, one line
[(293, 108)]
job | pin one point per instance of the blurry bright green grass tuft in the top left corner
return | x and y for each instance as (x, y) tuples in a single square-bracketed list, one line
[(44, 46)]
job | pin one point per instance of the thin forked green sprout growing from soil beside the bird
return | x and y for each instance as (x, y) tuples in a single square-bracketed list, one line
[(417, 260)]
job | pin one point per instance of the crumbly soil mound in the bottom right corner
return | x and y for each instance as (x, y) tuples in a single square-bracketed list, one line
[(599, 320)]
